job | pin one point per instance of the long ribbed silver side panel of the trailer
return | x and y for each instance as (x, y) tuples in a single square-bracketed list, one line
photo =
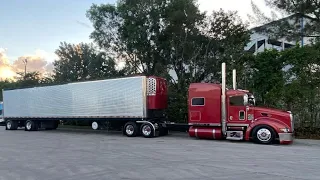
[(112, 98)]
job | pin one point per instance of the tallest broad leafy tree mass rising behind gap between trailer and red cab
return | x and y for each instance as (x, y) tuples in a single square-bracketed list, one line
[(155, 37)]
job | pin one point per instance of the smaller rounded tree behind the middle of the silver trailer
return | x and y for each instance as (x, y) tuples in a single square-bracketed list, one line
[(82, 62)]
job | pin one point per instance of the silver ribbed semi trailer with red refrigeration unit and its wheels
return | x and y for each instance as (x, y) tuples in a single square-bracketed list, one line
[(137, 104)]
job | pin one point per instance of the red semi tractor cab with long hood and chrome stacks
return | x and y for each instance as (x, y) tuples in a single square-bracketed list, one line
[(216, 112)]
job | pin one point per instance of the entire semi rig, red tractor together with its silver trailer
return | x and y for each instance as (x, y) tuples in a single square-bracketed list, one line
[(137, 105)]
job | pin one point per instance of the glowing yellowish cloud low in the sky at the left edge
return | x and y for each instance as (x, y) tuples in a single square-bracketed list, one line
[(40, 61)]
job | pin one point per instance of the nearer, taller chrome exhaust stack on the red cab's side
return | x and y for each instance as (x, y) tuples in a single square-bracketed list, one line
[(223, 100)]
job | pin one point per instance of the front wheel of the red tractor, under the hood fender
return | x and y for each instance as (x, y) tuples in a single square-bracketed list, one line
[(263, 134)]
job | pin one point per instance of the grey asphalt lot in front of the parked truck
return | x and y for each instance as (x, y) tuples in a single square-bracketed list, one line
[(84, 154)]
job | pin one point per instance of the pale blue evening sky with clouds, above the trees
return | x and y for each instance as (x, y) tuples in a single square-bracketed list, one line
[(33, 29)]
